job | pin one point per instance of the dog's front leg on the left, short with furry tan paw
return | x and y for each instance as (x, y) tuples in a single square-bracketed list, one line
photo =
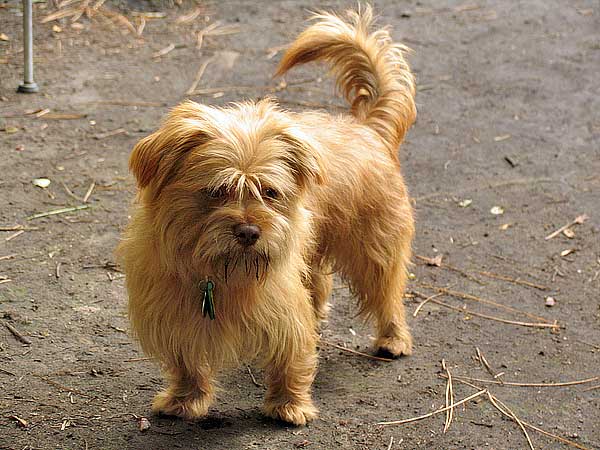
[(188, 395)]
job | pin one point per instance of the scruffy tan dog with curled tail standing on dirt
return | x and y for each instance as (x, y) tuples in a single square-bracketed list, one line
[(244, 212)]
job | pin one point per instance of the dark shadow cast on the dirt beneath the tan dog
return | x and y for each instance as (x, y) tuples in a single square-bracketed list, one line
[(236, 420)]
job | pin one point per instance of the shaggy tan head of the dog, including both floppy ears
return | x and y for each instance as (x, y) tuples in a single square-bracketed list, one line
[(225, 186)]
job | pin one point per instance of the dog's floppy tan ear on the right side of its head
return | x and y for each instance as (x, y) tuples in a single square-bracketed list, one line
[(305, 156)]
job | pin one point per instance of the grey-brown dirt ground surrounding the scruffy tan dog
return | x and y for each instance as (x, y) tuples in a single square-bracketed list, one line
[(509, 117)]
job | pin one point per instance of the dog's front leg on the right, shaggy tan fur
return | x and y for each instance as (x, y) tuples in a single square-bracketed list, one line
[(289, 376)]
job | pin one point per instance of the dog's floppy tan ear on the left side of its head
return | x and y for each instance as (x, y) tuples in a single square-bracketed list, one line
[(155, 157)]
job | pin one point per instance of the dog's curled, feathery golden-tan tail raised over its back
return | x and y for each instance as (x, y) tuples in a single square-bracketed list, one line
[(370, 70)]
